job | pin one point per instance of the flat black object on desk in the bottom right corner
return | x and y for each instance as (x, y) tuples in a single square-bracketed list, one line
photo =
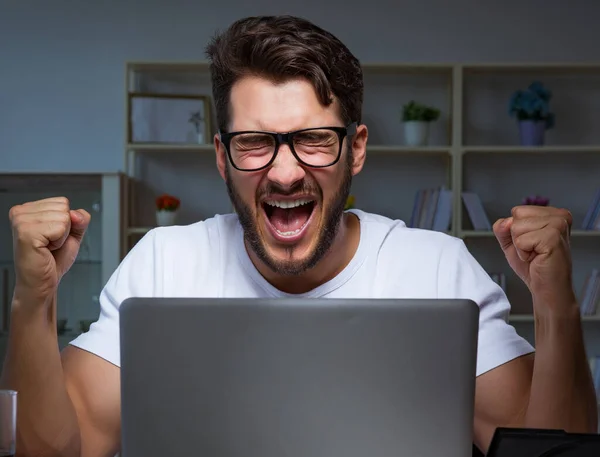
[(518, 442)]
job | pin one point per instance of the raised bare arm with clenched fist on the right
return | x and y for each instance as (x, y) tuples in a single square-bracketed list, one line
[(554, 389)]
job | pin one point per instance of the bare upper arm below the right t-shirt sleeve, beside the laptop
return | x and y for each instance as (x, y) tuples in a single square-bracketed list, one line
[(501, 398)]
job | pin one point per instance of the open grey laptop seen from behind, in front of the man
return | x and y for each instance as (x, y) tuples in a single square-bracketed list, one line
[(297, 377)]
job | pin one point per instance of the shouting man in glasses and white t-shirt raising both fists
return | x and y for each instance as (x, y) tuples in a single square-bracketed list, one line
[(290, 236)]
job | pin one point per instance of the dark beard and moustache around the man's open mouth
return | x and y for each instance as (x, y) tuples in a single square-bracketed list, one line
[(332, 217)]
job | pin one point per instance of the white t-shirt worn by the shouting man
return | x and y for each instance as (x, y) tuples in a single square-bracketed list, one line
[(208, 259)]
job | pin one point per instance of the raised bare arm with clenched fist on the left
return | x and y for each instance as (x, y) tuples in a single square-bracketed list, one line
[(67, 405)]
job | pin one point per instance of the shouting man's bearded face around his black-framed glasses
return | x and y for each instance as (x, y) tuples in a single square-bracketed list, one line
[(290, 213)]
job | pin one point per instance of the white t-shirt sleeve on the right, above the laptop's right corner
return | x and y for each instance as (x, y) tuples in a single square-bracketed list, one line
[(461, 276)]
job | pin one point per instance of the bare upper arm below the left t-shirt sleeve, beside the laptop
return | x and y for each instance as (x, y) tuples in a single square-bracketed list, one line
[(93, 385)]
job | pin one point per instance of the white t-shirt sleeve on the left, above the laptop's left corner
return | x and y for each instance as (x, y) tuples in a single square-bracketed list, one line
[(134, 277)]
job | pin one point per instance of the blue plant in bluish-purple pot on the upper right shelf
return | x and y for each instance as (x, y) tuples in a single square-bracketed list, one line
[(531, 109)]
